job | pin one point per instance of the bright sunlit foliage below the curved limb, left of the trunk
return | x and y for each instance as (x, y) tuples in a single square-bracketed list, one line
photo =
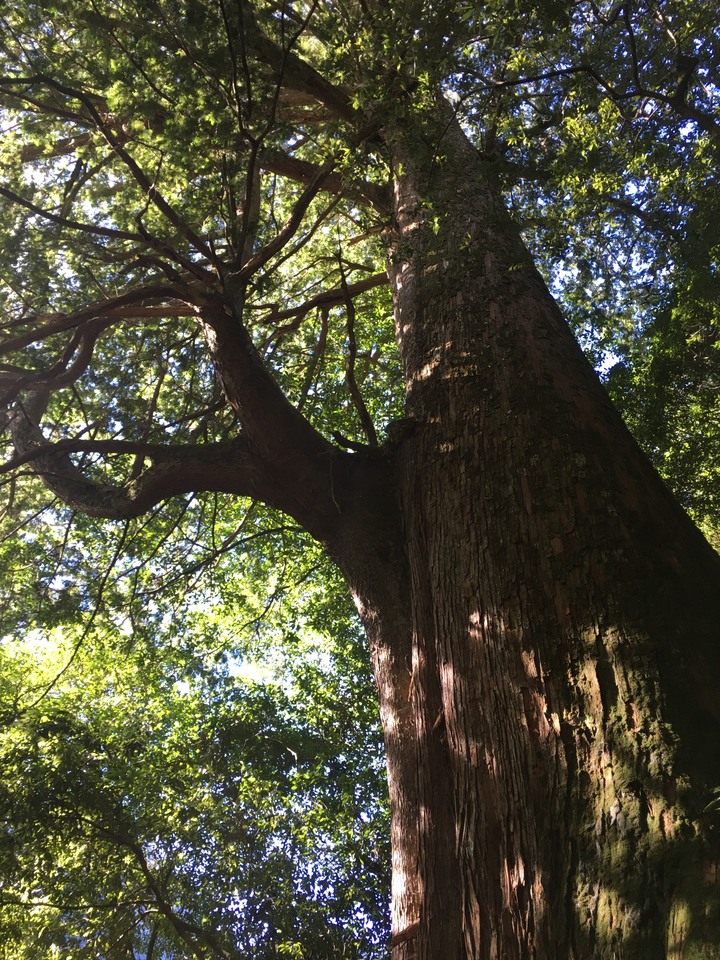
[(198, 774)]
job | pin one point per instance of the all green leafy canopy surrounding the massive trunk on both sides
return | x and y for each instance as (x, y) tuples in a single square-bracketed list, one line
[(189, 738)]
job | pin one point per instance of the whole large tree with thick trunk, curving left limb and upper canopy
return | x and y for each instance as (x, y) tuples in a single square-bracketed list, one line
[(202, 204)]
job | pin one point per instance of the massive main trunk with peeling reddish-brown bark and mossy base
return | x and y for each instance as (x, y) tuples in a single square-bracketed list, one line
[(548, 665)]
